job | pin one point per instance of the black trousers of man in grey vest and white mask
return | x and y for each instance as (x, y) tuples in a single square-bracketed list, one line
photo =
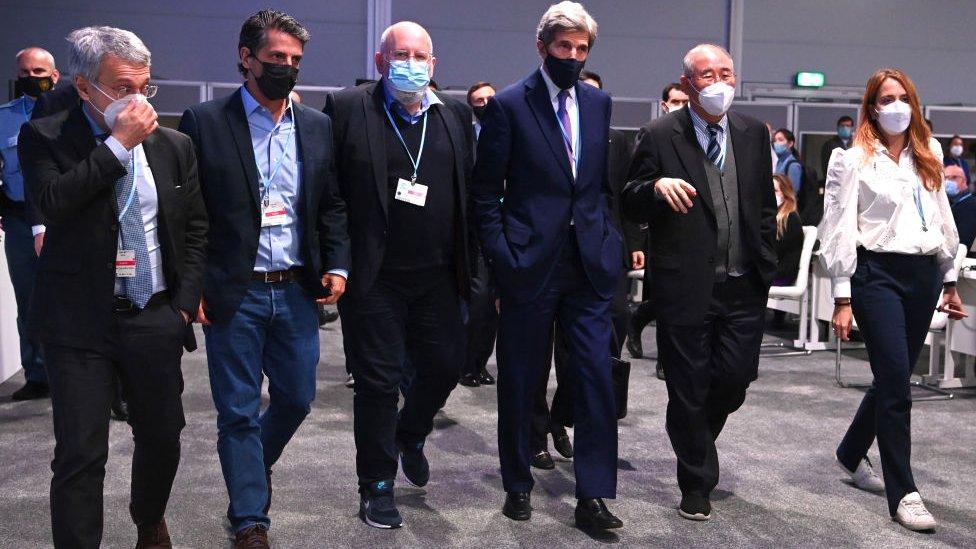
[(708, 369)]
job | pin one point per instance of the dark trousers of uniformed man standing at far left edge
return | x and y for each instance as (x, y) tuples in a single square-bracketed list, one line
[(22, 262)]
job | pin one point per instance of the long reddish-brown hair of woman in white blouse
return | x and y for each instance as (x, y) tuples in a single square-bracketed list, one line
[(928, 167)]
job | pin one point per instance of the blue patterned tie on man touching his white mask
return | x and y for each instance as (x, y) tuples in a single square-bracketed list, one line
[(138, 288)]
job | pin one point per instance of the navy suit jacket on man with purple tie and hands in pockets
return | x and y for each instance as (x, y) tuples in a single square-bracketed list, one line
[(522, 157)]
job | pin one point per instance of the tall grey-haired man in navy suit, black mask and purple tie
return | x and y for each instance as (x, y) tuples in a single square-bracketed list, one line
[(555, 254)]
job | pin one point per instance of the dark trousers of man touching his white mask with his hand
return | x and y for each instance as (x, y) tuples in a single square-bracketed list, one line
[(144, 349)]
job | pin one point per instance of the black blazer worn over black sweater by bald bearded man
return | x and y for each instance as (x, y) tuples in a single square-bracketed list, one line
[(360, 150)]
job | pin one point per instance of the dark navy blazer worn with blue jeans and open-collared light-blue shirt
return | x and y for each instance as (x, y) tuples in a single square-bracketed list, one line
[(229, 183)]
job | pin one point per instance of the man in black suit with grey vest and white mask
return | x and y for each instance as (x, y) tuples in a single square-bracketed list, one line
[(701, 179)]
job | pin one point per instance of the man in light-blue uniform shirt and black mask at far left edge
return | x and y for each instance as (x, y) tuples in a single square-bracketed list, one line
[(22, 226)]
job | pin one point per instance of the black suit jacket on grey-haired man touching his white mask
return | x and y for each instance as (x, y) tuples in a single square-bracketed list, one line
[(71, 182)]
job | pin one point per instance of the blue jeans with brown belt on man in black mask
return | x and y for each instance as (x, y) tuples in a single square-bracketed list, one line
[(275, 333)]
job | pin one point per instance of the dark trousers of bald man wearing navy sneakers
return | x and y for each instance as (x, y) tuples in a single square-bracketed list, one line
[(406, 314)]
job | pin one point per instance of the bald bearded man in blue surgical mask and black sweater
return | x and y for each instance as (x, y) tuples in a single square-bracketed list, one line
[(403, 156)]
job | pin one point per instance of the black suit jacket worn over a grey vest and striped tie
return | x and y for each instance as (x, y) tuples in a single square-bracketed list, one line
[(683, 246)]
